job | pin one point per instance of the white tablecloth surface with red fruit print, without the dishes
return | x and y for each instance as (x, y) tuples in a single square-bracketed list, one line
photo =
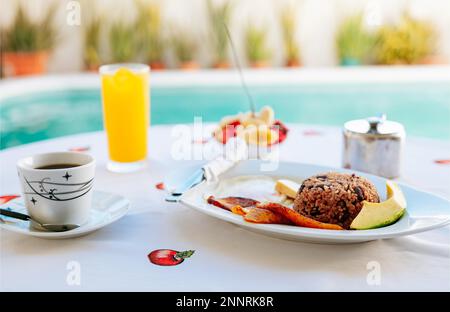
[(226, 257)]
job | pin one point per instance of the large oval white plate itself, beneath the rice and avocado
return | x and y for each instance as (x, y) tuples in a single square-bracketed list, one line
[(425, 211)]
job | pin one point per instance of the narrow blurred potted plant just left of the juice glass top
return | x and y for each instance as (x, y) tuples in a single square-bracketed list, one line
[(91, 51)]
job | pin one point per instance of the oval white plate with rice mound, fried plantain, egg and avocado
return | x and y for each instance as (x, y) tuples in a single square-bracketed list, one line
[(317, 204)]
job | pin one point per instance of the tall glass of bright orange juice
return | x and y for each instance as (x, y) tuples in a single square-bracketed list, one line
[(126, 114)]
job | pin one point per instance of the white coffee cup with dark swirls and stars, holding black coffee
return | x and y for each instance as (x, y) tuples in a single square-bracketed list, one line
[(57, 196)]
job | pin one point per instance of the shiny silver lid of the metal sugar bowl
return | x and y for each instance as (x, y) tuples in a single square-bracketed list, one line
[(375, 126)]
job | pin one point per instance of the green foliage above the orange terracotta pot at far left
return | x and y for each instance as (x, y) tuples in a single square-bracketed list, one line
[(25, 35)]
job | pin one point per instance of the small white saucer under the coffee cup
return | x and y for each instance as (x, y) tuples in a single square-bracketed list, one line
[(106, 208)]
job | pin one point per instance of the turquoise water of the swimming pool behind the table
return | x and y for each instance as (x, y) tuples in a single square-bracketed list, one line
[(423, 108)]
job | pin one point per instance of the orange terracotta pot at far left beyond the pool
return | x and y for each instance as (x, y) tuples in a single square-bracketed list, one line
[(25, 63)]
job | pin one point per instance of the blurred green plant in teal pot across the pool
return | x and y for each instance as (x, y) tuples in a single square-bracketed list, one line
[(353, 41)]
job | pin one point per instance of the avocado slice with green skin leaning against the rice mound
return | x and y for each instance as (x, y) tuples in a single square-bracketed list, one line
[(376, 215)]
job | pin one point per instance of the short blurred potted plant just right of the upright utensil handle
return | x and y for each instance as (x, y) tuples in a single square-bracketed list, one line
[(255, 47)]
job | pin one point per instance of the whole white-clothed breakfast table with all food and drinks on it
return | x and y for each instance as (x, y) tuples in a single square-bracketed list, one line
[(246, 204)]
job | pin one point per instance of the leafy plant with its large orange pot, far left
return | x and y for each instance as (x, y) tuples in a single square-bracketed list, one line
[(27, 43)]
